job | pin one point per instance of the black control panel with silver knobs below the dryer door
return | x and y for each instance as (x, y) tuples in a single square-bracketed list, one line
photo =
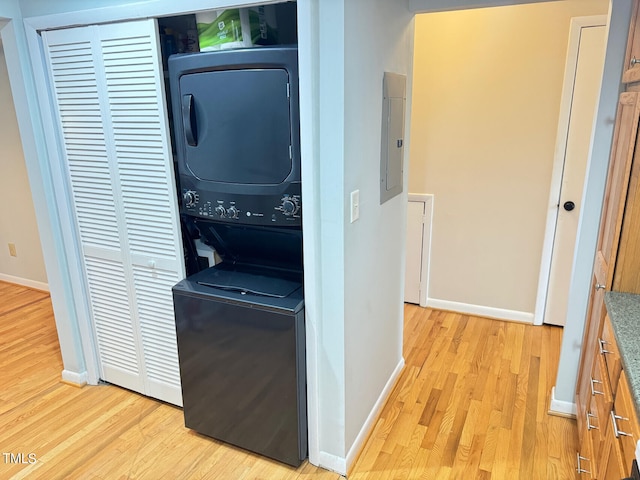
[(284, 209)]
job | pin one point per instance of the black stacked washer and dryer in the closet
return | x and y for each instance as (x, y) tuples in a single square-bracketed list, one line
[(240, 322)]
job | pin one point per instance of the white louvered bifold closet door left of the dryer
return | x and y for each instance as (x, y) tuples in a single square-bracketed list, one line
[(109, 95)]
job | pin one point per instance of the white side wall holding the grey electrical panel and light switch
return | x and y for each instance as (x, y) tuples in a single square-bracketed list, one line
[(378, 38)]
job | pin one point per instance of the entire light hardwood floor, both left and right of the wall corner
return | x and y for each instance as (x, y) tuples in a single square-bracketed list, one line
[(470, 404)]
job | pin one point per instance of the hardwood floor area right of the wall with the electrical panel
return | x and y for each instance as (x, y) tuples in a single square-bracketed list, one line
[(472, 403)]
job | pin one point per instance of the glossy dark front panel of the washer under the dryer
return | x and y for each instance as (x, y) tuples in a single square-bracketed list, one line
[(243, 375)]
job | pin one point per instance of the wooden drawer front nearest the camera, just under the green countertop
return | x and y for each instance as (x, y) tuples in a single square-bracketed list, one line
[(624, 422)]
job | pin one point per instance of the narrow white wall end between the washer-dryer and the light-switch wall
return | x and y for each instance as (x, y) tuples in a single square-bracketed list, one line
[(329, 222)]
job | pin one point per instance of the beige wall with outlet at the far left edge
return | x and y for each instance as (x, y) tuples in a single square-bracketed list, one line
[(17, 216)]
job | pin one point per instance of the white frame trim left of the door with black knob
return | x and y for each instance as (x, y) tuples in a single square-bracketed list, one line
[(577, 24)]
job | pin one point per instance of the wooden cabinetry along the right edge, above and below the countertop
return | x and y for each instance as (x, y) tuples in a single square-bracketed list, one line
[(607, 422)]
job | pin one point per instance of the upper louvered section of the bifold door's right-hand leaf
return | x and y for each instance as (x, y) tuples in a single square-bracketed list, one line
[(143, 166)]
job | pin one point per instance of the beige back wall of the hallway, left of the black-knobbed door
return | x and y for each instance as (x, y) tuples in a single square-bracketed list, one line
[(487, 89)]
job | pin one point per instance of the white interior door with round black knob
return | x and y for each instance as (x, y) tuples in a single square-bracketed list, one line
[(584, 94)]
